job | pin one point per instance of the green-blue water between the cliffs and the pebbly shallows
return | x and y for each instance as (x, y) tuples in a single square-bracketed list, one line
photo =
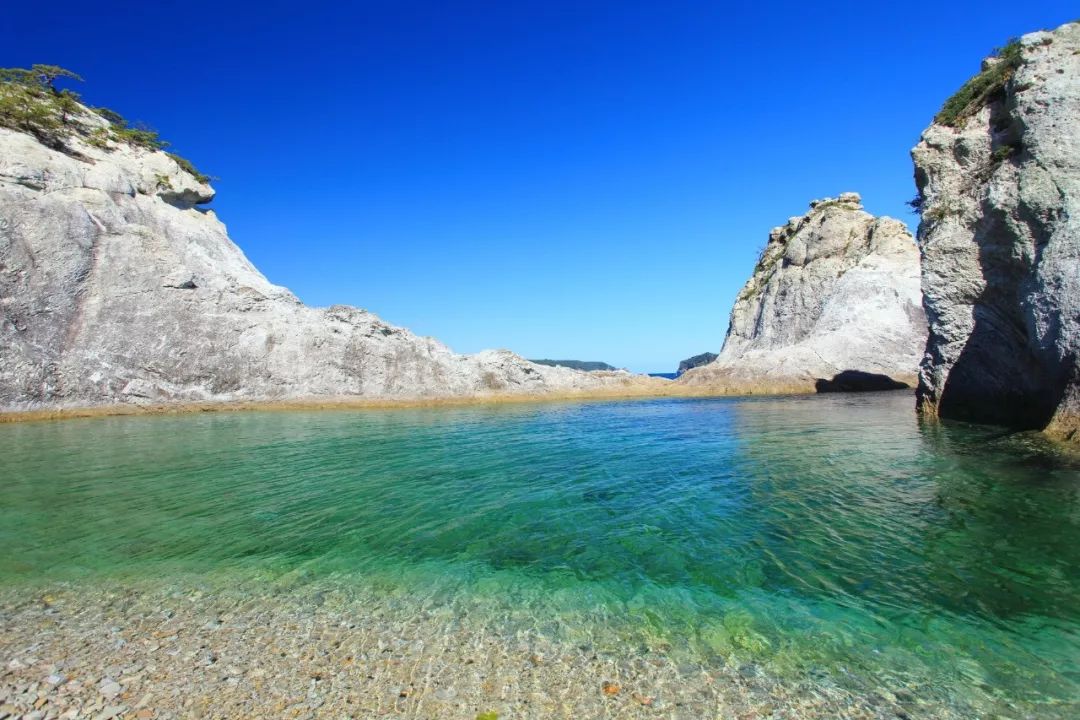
[(830, 535)]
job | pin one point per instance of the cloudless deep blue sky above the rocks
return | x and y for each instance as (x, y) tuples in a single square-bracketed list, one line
[(568, 180)]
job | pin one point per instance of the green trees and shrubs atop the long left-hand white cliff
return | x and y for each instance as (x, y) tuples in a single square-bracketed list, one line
[(31, 103)]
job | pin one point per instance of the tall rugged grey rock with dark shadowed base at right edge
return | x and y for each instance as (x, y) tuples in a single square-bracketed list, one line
[(1001, 240)]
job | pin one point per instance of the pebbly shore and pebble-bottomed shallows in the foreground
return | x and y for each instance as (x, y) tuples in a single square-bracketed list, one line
[(124, 650)]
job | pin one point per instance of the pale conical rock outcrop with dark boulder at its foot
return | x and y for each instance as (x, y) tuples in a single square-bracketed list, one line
[(834, 291)]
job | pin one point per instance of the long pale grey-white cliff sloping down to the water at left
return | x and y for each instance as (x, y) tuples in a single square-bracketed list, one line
[(117, 288)]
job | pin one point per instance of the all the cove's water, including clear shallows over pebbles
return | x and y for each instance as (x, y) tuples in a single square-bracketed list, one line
[(827, 556)]
